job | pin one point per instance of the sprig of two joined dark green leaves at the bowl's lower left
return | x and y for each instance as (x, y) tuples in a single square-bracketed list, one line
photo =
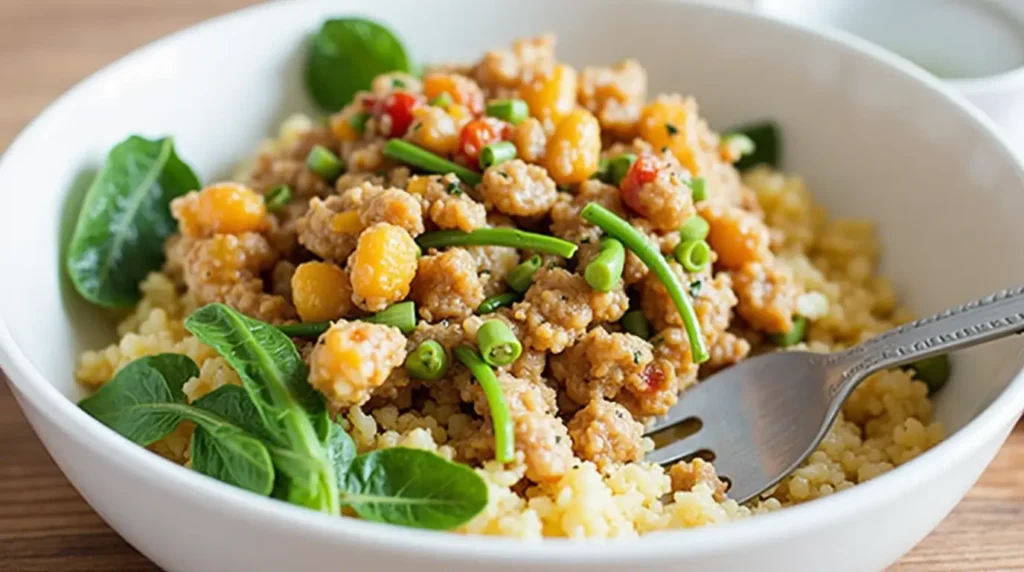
[(145, 404)]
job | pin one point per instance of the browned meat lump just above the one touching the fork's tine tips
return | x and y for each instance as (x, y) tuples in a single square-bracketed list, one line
[(601, 365)]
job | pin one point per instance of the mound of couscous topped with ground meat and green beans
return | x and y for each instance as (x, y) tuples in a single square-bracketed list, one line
[(533, 355)]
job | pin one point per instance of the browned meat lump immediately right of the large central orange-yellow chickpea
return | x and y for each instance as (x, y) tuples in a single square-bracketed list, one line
[(447, 286)]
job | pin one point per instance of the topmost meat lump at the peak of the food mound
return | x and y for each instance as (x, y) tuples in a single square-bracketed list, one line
[(509, 68)]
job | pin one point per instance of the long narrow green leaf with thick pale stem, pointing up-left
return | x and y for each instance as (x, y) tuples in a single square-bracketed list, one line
[(276, 379)]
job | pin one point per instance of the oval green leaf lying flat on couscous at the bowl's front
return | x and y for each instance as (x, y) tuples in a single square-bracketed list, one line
[(415, 489)]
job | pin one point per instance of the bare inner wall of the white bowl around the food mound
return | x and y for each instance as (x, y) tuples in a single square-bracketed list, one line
[(872, 141)]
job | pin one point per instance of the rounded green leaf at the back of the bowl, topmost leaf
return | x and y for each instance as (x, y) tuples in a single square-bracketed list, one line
[(345, 58)]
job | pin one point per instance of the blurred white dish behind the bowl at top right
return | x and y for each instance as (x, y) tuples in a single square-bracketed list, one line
[(975, 47)]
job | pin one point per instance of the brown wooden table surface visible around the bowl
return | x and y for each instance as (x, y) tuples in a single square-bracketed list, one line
[(47, 47)]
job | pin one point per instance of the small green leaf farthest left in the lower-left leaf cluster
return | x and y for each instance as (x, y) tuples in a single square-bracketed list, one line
[(134, 404)]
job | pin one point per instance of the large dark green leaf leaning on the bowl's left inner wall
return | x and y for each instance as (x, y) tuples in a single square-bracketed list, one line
[(119, 237)]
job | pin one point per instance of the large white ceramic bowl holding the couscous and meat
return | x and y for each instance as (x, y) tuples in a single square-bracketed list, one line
[(874, 137)]
